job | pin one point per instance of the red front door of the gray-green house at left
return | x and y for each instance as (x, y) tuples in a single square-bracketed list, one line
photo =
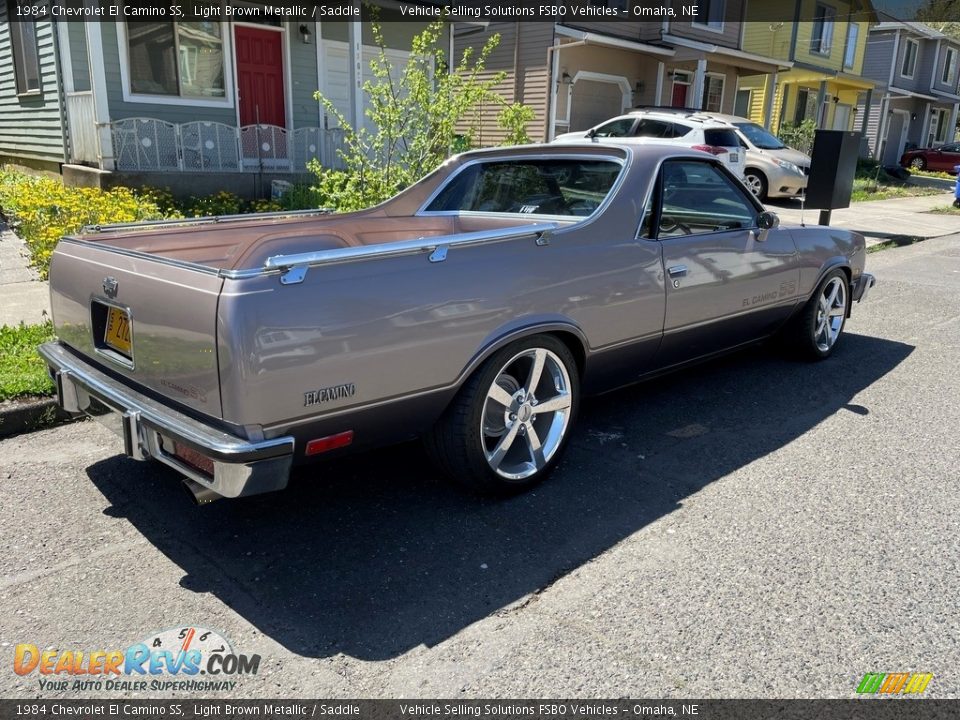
[(260, 76)]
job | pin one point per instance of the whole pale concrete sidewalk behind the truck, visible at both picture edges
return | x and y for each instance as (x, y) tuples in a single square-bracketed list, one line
[(25, 298)]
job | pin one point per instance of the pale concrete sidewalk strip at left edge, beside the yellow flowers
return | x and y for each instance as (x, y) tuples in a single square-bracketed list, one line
[(23, 297)]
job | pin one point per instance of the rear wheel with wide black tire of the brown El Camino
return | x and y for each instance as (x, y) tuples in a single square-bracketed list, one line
[(469, 430)]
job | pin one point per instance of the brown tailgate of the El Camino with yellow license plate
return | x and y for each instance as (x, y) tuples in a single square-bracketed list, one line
[(147, 319)]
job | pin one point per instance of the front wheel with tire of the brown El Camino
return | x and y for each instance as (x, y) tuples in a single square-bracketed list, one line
[(818, 326)]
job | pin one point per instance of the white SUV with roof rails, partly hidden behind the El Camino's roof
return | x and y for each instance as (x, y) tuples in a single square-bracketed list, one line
[(689, 129)]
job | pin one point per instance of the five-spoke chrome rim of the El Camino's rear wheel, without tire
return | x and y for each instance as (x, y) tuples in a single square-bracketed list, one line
[(526, 413)]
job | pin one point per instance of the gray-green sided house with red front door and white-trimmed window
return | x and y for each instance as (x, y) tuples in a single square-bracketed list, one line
[(222, 103)]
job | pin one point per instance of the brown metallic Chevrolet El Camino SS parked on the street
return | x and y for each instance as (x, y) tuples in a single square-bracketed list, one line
[(473, 309)]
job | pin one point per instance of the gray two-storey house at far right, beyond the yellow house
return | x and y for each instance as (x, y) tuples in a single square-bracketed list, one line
[(918, 69)]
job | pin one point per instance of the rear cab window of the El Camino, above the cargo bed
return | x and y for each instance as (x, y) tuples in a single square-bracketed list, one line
[(529, 187)]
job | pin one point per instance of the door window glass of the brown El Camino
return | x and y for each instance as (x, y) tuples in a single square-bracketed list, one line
[(699, 198)]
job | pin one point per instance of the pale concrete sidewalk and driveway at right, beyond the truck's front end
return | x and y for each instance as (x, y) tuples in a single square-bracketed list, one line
[(879, 220)]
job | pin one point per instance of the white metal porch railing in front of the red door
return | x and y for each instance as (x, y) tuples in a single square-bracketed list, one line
[(151, 145)]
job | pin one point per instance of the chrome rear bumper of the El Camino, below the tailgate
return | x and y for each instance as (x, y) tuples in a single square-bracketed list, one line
[(149, 429)]
